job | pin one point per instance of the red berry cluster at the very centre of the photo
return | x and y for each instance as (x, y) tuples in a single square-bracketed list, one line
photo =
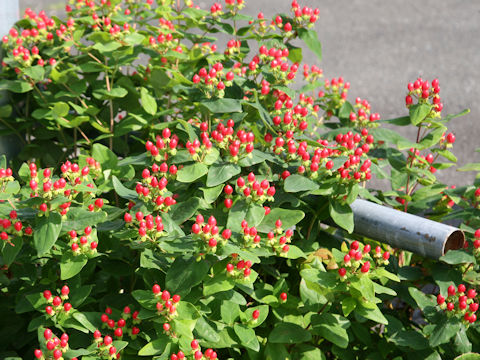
[(252, 190)]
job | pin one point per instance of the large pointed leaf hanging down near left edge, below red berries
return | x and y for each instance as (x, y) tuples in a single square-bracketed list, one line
[(46, 232)]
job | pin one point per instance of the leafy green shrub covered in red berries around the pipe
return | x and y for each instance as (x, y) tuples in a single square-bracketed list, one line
[(171, 195)]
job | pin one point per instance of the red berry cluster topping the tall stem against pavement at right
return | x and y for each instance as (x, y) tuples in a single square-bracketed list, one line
[(425, 93)]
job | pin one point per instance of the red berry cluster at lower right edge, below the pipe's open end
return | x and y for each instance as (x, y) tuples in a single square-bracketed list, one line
[(460, 303)]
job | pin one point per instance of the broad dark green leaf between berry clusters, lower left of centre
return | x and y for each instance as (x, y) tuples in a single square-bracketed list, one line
[(185, 273)]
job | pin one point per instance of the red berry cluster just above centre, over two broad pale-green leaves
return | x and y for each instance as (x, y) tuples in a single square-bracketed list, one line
[(235, 145)]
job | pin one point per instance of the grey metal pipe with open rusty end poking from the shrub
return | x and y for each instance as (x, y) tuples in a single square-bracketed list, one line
[(405, 231)]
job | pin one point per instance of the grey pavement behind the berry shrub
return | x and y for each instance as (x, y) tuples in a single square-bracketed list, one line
[(379, 46)]
